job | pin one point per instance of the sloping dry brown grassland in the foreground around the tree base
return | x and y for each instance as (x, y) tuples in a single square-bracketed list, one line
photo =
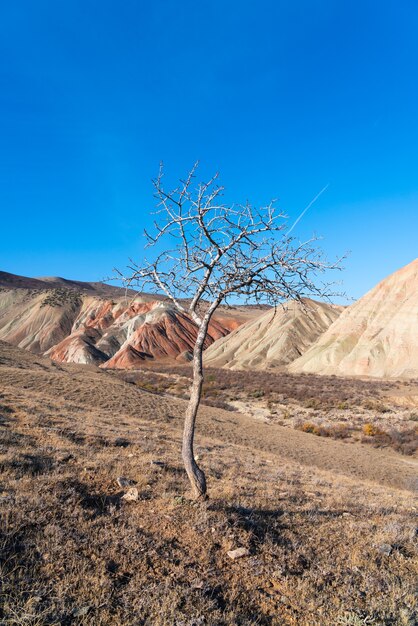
[(328, 526)]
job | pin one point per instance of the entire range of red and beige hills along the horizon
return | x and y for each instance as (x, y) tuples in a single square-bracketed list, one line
[(94, 323)]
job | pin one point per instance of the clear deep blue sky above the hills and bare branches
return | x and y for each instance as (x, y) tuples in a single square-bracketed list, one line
[(280, 97)]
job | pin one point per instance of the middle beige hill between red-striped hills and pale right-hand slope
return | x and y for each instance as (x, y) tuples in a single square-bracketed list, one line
[(273, 339)]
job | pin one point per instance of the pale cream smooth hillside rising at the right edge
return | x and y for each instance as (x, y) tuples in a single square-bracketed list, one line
[(376, 336)]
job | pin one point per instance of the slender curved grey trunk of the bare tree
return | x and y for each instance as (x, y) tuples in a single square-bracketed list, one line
[(195, 474)]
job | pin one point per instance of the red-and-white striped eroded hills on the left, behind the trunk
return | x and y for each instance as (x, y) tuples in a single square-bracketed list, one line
[(94, 323)]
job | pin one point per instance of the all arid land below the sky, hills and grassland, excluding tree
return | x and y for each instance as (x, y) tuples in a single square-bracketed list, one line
[(312, 475)]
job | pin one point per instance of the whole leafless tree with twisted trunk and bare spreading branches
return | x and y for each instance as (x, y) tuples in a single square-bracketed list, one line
[(212, 251)]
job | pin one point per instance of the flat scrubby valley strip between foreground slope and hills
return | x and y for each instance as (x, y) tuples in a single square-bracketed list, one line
[(326, 406)]
